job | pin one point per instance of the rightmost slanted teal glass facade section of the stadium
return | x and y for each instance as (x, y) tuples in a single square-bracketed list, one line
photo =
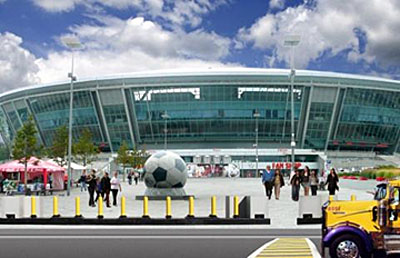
[(370, 120)]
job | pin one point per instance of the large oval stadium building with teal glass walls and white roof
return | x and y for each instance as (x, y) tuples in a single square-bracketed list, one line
[(214, 109)]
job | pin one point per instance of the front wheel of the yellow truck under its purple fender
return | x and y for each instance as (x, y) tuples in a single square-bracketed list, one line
[(348, 246)]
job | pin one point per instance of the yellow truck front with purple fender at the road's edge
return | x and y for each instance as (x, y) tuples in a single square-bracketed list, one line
[(352, 229)]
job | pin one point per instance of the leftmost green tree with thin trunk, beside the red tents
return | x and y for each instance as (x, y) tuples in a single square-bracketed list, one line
[(26, 146)]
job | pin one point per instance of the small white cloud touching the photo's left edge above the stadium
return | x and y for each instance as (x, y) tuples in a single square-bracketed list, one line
[(17, 65)]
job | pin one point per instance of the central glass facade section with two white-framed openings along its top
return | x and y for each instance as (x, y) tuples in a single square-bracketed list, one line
[(214, 113)]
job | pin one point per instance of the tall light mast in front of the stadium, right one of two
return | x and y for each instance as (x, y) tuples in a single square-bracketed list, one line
[(292, 41)]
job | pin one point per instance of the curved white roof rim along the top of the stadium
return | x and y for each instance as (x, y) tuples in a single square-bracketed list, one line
[(224, 75)]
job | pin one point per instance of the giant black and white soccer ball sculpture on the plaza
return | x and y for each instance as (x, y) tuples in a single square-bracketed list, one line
[(165, 169)]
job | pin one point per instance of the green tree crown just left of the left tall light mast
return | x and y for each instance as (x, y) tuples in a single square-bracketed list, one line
[(59, 149)]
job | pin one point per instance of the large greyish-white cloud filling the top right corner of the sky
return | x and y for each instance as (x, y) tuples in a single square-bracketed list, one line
[(329, 27)]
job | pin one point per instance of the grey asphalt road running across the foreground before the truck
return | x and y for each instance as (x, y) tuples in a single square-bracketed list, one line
[(146, 242)]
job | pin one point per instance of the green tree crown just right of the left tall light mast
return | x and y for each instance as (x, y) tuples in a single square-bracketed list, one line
[(84, 149)]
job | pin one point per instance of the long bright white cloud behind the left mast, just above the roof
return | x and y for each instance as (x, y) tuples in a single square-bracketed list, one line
[(123, 46)]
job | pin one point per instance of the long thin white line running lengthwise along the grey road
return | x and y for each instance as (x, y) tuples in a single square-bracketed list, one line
[(54, 237)]
